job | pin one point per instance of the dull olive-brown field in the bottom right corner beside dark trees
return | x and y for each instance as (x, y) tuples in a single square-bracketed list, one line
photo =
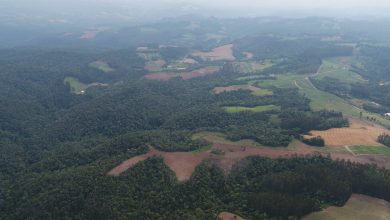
[(358, 207)]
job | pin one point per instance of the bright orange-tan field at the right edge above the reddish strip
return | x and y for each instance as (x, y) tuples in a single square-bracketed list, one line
[(359, 133)]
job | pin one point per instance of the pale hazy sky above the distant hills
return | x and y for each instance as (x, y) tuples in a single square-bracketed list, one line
[(147, 10)]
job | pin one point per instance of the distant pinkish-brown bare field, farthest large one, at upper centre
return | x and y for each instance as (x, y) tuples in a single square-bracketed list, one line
[(220, 53)]
